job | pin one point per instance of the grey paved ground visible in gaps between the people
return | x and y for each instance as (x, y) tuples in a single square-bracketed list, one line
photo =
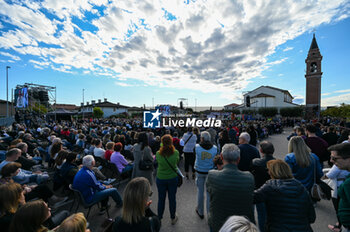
[(186, 203)]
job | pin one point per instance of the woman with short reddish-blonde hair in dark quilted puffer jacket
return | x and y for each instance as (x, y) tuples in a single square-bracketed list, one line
[(288, 204)]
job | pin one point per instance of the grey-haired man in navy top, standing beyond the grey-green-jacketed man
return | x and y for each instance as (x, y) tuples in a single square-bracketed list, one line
[(248, 152)]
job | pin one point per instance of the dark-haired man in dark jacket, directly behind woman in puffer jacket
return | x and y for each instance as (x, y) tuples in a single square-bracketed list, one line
[(261, 175)]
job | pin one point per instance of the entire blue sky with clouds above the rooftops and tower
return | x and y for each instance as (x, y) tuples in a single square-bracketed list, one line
[(154, 52)]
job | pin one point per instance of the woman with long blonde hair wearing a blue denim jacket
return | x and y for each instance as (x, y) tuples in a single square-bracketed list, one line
[(302, 162)]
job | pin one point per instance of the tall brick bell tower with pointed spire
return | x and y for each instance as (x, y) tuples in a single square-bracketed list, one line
[(313, 80)]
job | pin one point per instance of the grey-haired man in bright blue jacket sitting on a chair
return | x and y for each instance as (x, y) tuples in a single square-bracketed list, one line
[(93, 190)]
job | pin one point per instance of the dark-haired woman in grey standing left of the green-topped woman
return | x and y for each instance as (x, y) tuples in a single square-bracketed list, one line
[(142, 151)]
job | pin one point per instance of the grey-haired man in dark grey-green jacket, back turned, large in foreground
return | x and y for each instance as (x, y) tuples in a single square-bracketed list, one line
[(230, 190)]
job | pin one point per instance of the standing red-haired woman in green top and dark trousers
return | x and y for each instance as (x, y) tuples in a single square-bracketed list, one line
[(166, 177)]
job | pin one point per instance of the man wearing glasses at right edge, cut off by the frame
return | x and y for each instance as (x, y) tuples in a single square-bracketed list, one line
[(340, 156)]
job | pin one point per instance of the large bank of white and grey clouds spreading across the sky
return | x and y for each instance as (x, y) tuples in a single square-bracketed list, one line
[(134, 40)]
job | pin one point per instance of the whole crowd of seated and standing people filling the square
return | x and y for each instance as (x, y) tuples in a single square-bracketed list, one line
[(234, 169)]
